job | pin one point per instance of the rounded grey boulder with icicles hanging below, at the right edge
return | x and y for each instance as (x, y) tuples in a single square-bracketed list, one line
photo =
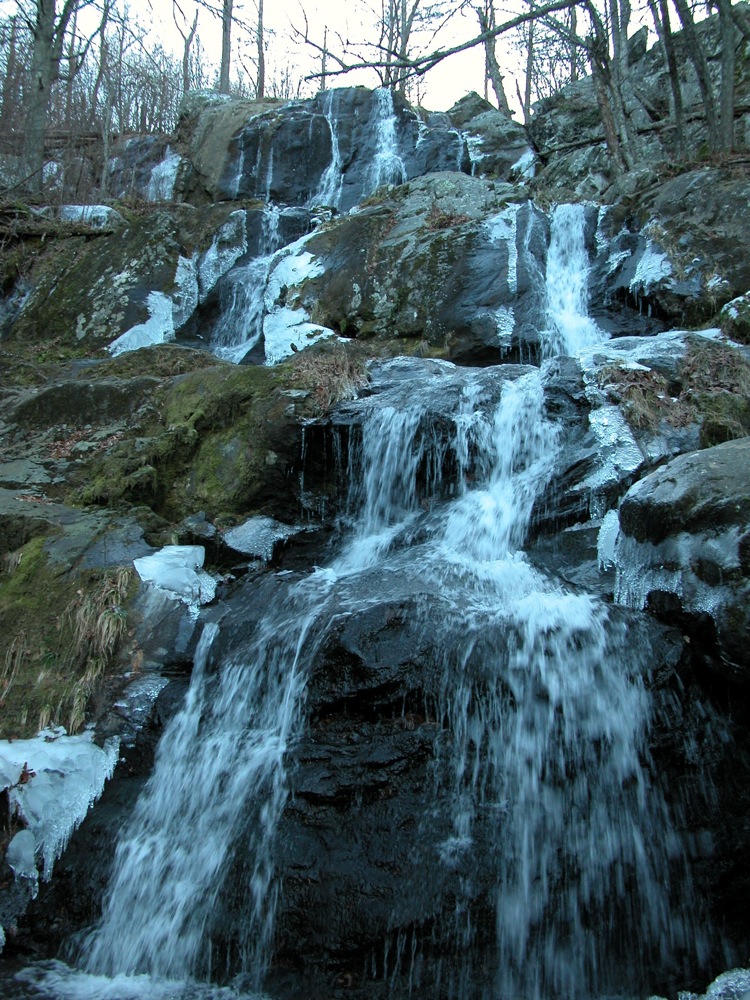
[(686, 539)]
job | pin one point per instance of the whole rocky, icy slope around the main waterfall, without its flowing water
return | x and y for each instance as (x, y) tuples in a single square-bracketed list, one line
[(119, 438)]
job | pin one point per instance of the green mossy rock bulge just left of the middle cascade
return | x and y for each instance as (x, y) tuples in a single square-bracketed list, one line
[(219, 439)]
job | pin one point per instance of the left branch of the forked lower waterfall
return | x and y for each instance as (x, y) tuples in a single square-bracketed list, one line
[(219, 784)]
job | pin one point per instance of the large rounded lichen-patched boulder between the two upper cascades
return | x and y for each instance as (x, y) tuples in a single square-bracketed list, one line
[(449, 260)]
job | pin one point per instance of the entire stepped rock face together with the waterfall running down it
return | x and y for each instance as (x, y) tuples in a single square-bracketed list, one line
[(464, 623)]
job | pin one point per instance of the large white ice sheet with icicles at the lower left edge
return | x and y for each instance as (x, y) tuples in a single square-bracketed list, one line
[(69, 775)]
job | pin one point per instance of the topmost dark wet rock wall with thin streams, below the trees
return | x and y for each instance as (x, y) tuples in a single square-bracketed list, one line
[(280, 152)]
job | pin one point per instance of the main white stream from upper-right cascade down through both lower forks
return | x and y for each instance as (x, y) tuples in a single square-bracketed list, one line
[(541, 764)]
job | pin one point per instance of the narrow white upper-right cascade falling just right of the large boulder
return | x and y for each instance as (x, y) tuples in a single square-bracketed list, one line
[(569, 327)]
